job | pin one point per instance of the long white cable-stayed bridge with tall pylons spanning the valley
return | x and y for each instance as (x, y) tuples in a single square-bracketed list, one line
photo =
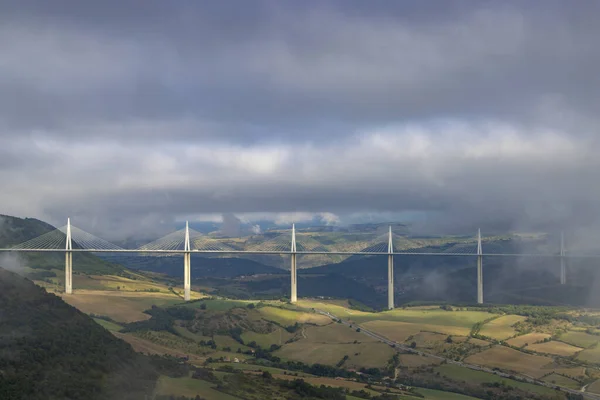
[(70, 239)]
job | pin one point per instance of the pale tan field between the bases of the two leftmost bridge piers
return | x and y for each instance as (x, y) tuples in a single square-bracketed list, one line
[(120, 306)]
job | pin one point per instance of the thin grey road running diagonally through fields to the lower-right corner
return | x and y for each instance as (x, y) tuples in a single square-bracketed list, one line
[(462, 364)]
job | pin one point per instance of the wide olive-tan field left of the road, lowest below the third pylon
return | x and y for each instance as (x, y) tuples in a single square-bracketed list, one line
[(360, 355)]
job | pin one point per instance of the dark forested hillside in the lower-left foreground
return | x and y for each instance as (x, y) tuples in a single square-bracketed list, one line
[(50, 350)]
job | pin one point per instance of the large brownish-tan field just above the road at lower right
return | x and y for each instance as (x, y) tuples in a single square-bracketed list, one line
[(509, 359)]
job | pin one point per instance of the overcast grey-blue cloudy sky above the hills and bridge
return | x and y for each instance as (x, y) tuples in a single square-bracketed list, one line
[(134, 114)]
